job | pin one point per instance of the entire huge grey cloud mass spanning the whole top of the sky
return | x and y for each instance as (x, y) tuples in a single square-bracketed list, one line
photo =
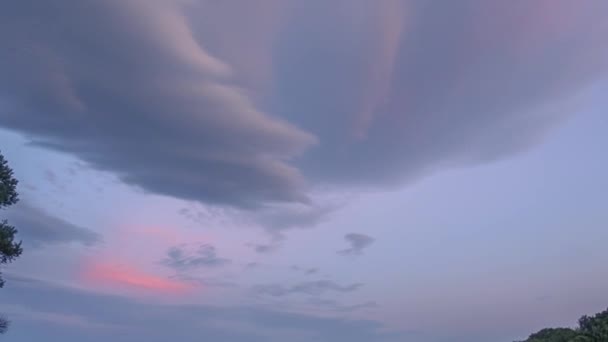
[(213, 105)]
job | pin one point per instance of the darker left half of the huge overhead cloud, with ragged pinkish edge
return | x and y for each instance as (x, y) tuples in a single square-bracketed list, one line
[(125, 94)]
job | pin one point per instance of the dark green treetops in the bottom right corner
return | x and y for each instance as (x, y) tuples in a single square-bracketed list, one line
[(590, 329)]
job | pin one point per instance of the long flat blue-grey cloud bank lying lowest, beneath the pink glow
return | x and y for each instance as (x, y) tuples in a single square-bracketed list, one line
[(154, 322)]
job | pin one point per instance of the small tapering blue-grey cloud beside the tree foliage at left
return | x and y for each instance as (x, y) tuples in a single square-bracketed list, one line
[(38, 227)]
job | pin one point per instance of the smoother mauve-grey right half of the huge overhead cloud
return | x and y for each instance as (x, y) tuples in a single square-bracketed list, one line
[(445, 86)]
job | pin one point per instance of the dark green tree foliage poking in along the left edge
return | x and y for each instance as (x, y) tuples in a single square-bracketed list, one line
[(9, 247)]
